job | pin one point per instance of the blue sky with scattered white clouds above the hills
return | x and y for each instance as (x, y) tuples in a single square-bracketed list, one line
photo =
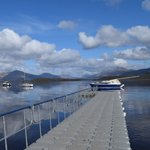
[(74, 37)]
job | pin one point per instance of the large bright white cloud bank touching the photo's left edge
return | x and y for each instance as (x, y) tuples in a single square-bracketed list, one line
[(16, 49)]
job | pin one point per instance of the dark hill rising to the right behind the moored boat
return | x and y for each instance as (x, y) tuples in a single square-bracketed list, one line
[(142, 76)]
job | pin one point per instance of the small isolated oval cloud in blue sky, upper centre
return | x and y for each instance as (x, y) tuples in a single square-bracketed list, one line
[(67, 24)]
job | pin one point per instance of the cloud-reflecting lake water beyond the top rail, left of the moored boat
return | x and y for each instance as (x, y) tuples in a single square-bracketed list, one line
[(16, 97)]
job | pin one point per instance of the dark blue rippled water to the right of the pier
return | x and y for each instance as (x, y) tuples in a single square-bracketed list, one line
[(137, 105)]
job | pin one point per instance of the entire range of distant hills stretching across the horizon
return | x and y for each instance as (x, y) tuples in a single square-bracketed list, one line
[(18, 76)]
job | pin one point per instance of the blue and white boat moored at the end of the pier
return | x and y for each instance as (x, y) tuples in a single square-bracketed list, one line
[(114, 84)]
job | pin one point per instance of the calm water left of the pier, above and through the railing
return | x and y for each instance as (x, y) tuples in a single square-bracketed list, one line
[(57, 110)]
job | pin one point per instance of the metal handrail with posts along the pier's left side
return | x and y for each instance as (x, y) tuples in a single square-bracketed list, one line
[(33, 112)]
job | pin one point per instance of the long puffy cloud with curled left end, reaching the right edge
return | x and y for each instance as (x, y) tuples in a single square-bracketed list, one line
[(110, 36)]
